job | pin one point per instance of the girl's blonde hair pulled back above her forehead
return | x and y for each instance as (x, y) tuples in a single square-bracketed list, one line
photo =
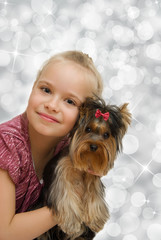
[(81, 59)]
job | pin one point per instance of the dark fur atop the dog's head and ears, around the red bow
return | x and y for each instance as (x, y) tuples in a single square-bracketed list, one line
[(119, 117)]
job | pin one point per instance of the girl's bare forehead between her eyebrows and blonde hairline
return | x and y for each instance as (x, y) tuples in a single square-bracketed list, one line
[(68, 77)]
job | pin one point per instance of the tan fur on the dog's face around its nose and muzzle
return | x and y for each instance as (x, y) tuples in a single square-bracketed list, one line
[(92, 150)]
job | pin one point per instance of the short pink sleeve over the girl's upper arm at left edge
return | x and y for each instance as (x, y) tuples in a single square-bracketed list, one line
[(9, 159)]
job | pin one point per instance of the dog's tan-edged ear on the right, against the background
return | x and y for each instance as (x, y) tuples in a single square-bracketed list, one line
[(126, 118)]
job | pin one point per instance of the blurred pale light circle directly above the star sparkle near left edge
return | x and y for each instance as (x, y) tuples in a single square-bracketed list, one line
[(21, 40)]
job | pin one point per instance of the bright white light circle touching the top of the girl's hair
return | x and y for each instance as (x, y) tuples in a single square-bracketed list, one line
[(87, 46)]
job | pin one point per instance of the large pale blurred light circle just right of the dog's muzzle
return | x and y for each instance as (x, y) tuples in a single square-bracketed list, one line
[(130, 144)]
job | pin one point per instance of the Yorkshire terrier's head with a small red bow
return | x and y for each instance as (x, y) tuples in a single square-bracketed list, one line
[(98, 136)]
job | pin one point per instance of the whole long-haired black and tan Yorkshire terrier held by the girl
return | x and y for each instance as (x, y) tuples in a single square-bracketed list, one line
[(72, 184)]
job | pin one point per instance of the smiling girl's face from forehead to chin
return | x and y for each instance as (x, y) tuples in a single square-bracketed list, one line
[(54, 102)]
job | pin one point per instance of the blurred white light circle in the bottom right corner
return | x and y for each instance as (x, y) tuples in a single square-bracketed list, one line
[(154, 231)]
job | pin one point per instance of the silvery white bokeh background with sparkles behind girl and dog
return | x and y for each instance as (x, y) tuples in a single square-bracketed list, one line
[(124, 39)]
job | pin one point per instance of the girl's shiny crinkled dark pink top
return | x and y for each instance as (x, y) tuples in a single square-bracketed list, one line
[(15, 157)]
